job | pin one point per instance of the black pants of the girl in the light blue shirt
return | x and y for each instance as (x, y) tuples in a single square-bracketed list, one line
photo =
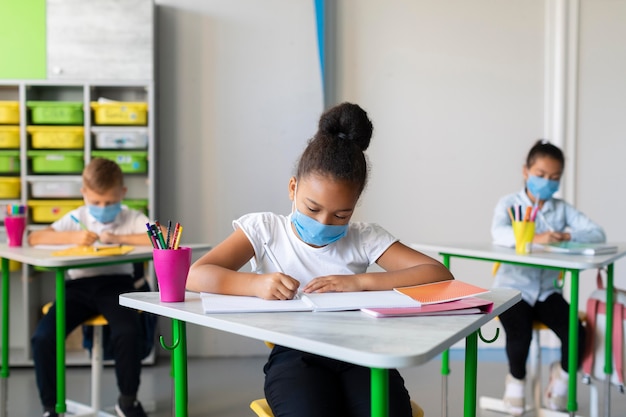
[(518, 321)]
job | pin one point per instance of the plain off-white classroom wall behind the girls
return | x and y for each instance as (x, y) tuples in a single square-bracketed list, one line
[(455, 90)]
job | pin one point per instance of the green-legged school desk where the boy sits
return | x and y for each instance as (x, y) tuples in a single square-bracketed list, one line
[(43, 258)]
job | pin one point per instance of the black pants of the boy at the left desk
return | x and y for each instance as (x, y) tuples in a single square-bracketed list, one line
[(85, 298)]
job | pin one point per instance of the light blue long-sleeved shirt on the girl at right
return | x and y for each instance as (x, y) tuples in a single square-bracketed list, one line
[(555, 215)]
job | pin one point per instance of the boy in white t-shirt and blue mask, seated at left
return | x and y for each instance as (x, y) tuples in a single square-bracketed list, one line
[(93, 291)]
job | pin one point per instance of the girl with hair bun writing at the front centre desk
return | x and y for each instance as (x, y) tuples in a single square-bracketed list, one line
[(316, 248)]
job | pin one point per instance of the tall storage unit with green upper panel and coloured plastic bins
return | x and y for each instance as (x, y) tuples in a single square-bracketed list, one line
[(88, 51)]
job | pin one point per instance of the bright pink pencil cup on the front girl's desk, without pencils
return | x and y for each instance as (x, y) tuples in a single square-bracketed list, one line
[(171, 267)]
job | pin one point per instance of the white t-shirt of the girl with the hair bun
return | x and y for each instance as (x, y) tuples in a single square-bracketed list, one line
[(353, 254)]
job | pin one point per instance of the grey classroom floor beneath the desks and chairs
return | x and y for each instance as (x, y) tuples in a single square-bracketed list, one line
[(224, 387)]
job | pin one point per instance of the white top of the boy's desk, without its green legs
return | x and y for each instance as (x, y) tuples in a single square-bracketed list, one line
[(43, 257)]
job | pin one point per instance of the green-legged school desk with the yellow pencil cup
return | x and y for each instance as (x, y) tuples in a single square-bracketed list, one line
[(573, 264)]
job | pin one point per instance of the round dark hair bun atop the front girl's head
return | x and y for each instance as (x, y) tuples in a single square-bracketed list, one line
[(347, 121)]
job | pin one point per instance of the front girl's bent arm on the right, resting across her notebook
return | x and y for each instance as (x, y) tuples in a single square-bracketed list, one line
[(403, 267)]
